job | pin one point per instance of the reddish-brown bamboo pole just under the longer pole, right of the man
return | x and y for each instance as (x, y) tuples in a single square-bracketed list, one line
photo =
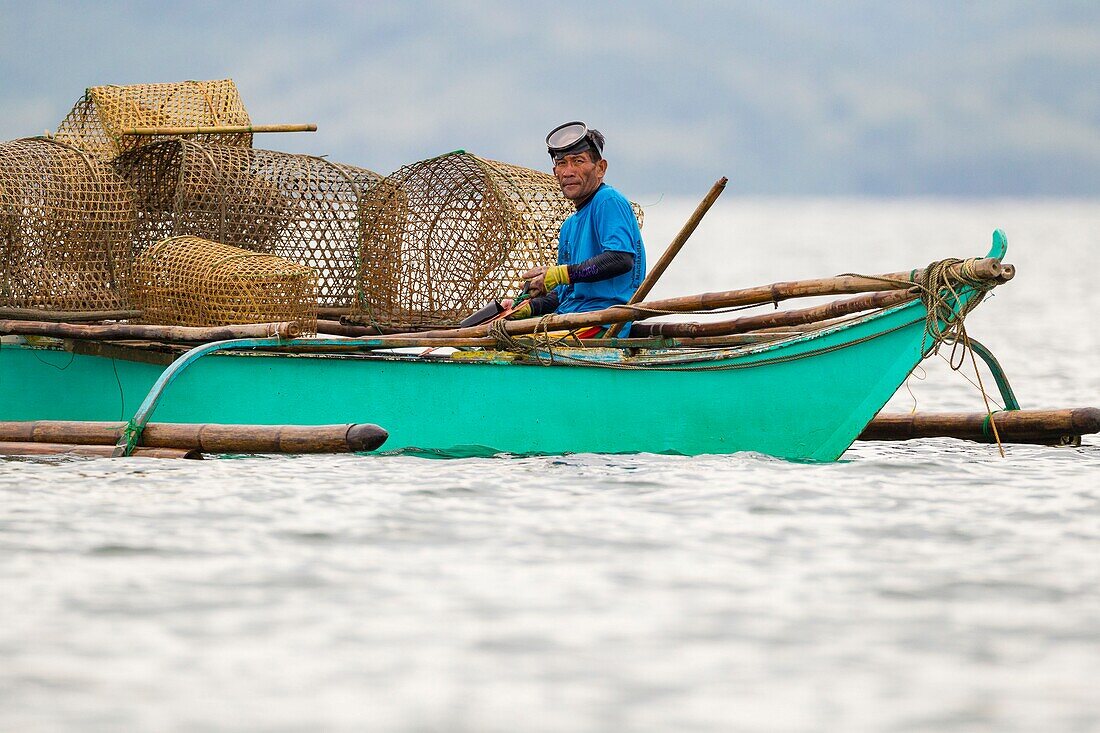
[(784, 319)]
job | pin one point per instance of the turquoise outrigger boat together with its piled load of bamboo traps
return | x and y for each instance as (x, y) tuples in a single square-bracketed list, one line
[(166, 228)]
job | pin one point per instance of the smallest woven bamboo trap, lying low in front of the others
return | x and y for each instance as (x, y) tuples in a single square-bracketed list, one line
[(190, 281)]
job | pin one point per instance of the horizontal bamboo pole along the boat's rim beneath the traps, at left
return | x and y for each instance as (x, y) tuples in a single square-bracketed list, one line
[(283, 331)]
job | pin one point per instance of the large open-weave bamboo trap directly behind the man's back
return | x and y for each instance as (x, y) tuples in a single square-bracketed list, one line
[(443, 237)]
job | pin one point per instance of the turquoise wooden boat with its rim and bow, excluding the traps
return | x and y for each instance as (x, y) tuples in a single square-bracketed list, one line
[(801, 395)]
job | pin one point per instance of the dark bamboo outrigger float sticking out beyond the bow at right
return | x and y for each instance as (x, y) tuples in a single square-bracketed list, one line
[(1030, 426)]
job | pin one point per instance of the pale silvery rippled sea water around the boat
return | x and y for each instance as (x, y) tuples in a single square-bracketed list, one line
[(923, 586)]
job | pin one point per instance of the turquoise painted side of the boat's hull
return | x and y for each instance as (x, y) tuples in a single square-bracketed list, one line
[(810, 406)]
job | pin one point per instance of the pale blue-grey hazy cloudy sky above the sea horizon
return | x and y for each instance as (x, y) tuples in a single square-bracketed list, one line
[(841, 99)]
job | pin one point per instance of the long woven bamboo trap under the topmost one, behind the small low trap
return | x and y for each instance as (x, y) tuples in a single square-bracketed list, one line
[(299, 207)]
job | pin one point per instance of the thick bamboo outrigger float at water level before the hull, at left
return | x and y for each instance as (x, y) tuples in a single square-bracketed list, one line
[(206, 437)]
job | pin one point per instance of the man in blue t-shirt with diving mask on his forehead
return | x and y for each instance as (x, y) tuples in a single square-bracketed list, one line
[(601, 258)]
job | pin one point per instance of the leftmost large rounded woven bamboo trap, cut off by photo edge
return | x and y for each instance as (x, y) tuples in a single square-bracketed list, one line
[(67, 223)]
